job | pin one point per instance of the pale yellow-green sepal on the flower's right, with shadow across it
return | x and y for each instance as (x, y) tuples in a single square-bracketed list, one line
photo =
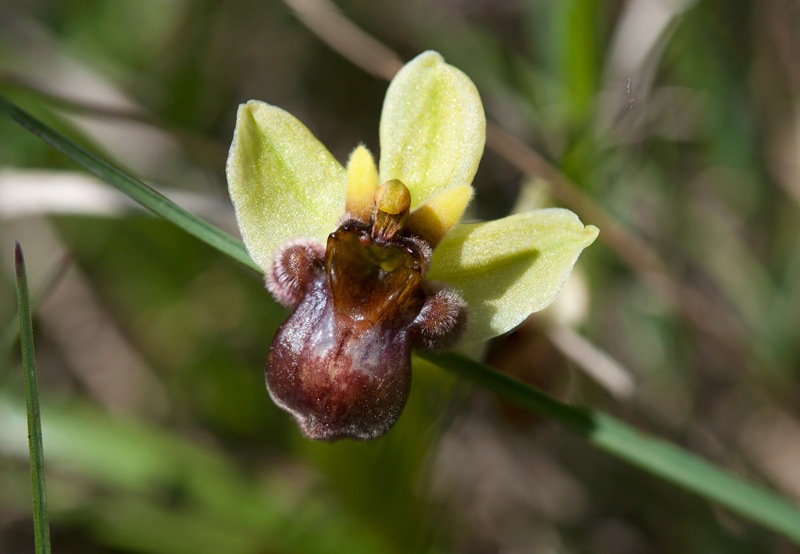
[(507, 269)]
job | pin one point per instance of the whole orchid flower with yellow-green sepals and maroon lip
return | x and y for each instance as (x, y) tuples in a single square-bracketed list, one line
[(372, 261)]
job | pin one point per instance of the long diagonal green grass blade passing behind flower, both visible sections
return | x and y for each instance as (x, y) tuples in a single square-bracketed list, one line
[(655, 456)]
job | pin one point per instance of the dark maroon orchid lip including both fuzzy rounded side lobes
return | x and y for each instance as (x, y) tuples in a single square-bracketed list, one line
[(341, 362)]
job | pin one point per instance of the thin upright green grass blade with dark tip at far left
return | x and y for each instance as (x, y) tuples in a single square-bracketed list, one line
[(40, 524)]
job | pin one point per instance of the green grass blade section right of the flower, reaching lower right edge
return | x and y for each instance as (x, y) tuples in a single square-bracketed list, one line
[(656, 456)]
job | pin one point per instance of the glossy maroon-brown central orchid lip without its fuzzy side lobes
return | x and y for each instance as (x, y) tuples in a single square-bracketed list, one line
[(340, 364)]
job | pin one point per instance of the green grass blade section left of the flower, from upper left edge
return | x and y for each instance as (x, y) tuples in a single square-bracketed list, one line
[(133, 188)]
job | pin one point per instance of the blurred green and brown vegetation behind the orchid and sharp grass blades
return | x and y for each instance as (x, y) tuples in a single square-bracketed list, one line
[(672, 125)]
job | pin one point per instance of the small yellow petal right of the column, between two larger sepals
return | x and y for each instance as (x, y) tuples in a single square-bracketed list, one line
[(439, 214)]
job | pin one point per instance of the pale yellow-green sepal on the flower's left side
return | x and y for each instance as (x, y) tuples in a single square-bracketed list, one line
[(283, 182)]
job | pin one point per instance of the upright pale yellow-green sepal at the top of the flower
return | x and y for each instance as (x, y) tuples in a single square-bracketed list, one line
[(432, 128)]
